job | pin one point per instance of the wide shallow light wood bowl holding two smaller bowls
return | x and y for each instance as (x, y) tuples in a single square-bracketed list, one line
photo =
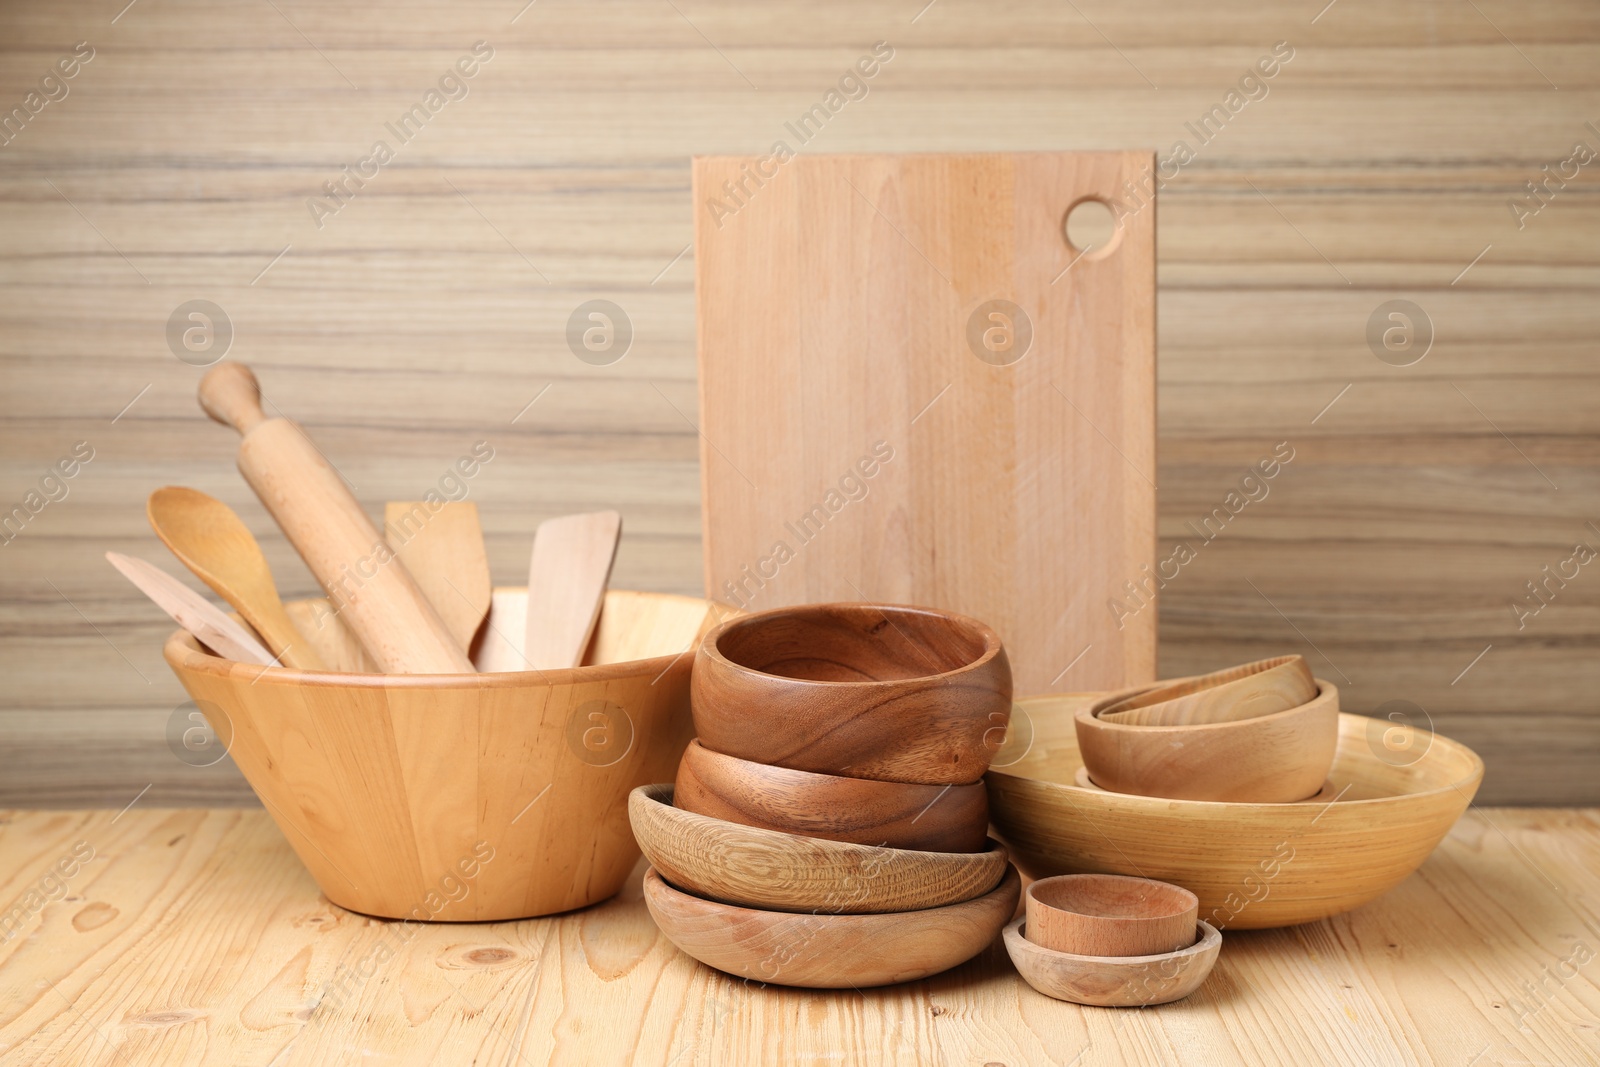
[(1252, 866)]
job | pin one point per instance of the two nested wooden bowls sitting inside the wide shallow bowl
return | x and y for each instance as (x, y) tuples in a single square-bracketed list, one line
[(1260, 733)]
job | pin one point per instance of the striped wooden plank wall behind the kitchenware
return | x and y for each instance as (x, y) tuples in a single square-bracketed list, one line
[(428, 313)]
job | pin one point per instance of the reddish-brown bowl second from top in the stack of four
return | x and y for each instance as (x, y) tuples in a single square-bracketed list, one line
[(894, 815)]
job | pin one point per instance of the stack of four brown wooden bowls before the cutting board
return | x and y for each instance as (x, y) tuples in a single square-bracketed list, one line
[(830, 826)]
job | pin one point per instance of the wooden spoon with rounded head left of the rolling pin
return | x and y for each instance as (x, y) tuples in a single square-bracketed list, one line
[(214, 543)]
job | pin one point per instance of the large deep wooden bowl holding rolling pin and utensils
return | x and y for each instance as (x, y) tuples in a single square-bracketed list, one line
[(463, 797)]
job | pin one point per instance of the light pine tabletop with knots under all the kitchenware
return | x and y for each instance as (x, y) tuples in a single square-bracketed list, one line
[(198, 938)]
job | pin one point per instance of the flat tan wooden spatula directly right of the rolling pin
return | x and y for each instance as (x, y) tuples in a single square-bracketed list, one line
[(442, 546)]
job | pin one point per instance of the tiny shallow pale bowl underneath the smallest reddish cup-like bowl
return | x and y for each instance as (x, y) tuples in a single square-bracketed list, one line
[(1114, 981)]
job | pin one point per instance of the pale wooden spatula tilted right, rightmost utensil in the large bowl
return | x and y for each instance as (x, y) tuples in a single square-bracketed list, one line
[(567, 580)]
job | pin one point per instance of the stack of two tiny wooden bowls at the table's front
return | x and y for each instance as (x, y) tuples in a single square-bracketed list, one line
[(1113, 941)]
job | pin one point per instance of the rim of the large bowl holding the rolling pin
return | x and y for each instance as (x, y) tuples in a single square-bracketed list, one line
[(185, 653)]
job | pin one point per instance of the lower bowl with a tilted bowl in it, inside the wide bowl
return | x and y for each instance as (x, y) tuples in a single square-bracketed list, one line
[(1271, 759)]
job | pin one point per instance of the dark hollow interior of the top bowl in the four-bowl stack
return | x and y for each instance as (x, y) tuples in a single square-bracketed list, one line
[(852, 644)]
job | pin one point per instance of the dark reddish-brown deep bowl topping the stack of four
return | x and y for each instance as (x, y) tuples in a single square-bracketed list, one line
[(882, 692)]
